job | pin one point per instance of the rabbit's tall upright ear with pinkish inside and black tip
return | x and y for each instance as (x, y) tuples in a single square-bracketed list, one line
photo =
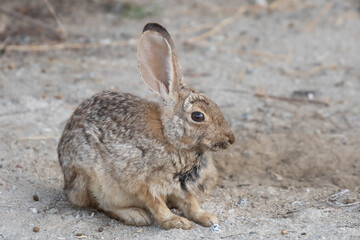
[(158, 62)]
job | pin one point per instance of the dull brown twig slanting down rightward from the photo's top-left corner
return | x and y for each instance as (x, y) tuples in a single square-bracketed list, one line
[(29, 20)]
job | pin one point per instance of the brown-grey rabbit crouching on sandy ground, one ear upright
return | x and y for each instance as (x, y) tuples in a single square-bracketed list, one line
[(132, 158)]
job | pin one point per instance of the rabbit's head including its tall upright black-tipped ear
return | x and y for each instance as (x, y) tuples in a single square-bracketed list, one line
[(190, 120)]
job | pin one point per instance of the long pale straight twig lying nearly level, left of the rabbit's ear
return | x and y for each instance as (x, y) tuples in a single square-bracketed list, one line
[(63, 46)]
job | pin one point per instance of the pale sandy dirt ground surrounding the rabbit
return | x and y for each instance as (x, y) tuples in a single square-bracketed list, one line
[(285, 73)]
